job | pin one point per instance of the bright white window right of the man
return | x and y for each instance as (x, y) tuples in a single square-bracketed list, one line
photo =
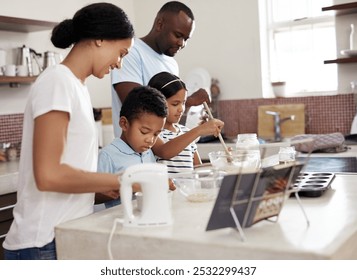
[(300, 38)]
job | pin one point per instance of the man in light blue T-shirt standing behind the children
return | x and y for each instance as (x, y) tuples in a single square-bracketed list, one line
[(154, 53)]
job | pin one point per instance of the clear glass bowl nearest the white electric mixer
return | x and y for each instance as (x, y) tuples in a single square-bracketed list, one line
[(199, 185)]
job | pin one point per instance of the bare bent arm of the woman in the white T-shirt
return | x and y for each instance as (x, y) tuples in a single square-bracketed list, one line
[(50, 174)]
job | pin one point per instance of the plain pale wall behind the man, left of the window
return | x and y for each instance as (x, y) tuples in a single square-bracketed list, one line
[(226, 42)]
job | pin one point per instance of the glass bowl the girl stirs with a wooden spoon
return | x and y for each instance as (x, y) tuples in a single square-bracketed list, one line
[(236, 161)]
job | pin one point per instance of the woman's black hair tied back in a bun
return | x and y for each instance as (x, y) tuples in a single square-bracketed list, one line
[(101, 21)]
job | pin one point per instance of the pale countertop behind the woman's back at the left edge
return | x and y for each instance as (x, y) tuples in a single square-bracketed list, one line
[(8, 176)]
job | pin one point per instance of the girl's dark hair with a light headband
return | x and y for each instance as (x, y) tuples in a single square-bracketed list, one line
[(167, 83)]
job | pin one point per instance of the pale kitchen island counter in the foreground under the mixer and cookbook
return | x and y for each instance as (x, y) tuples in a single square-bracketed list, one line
[(332, 233)]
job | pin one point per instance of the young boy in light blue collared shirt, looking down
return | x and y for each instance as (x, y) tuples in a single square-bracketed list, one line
[(142, 118)]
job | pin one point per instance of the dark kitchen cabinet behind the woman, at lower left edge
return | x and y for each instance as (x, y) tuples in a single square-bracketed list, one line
[(7, 203)]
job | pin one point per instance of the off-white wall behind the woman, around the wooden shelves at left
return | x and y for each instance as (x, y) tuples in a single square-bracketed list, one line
[(13, 100)]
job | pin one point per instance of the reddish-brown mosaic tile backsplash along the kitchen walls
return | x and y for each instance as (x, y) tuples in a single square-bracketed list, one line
[(323, 114)]
